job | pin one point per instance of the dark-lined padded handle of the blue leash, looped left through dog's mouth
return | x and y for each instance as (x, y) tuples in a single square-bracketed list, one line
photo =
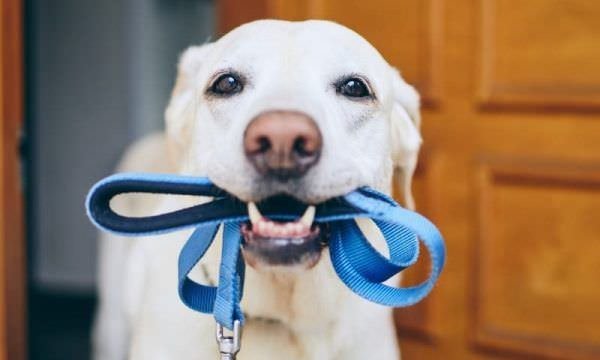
[(223, 207)]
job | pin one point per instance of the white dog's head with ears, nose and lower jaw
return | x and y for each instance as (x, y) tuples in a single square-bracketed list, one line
[(291, 110)]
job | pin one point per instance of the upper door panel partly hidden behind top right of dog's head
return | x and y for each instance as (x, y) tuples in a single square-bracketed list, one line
[(408, 34)]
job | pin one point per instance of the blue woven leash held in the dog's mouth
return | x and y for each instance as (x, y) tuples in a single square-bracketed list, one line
[(356, 262)]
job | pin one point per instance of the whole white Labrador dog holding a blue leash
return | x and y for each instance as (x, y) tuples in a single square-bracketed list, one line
[(306, 110)]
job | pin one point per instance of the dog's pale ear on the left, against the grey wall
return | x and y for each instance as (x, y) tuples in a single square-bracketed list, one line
[(180, 112)]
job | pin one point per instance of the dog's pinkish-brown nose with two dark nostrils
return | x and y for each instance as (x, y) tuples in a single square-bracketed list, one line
[(282, 144)]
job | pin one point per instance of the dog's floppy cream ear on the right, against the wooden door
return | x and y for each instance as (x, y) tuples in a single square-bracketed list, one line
[(405, 134)]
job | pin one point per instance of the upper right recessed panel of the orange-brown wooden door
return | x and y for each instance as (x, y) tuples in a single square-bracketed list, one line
[(540, 53)]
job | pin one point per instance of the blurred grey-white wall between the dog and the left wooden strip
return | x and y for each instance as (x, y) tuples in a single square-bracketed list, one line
[(99, 75)]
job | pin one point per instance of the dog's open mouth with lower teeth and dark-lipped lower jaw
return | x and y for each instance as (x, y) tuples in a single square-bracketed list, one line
[(294, 243)]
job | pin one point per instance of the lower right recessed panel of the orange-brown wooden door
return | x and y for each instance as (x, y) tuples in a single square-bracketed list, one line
[(536, 288)]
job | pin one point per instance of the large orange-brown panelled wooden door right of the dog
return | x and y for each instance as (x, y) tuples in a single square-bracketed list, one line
[(510, 168)]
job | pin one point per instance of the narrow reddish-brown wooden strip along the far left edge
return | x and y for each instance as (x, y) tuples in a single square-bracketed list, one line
[(12, 252)]
